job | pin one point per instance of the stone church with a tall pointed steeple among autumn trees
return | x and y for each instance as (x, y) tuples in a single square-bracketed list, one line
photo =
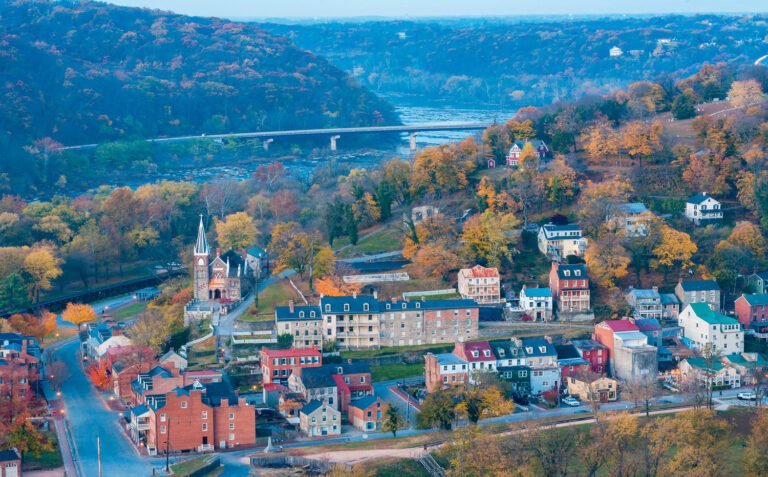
[(224, 278)]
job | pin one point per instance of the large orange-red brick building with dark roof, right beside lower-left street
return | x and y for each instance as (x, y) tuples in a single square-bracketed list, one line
[(194, 418)]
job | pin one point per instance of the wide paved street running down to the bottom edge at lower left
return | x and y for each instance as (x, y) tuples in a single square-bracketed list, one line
[(89, 418)]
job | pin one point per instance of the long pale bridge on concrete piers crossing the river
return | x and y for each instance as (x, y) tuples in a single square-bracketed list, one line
[(333, 133)]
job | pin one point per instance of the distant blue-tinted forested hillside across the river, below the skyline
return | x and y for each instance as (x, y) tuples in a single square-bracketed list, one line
[(524, 62)]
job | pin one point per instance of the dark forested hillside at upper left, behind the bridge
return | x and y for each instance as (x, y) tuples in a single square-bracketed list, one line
[(84, 72)]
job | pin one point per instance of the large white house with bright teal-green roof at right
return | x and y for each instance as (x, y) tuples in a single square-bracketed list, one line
[(703, 328)]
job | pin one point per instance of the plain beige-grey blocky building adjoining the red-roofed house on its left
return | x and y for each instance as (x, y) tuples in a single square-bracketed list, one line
[(633, 358)]
